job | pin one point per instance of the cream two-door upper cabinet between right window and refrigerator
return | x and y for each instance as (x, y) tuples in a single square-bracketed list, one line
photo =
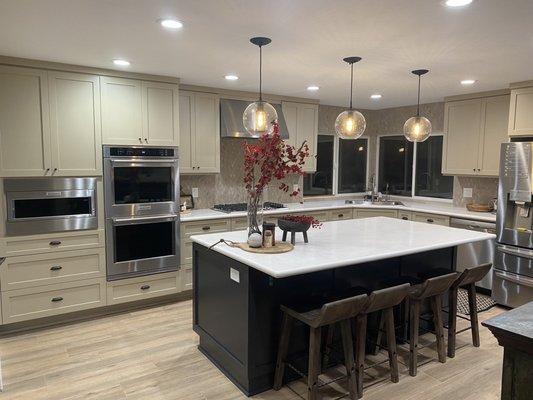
[(474, 130)]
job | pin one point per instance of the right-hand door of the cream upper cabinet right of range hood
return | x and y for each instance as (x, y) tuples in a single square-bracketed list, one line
[(308, 131)]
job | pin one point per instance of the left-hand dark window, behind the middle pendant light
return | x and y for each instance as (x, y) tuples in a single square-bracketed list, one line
[(350, 175)]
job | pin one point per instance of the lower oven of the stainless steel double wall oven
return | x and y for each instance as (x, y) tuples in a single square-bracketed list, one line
[(142, 245)]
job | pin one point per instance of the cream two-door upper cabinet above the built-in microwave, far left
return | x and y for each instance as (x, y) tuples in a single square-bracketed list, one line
[(49, 123)]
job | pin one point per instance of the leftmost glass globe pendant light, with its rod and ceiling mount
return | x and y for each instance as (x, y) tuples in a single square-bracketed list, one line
[(259, 116)]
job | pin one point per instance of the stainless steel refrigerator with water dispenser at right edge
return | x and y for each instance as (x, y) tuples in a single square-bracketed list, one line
[(513, 261)]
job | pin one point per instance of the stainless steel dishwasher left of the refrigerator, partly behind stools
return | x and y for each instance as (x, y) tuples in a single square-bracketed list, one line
[(474, 254)]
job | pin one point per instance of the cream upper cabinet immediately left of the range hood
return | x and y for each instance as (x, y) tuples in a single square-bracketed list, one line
[(199, 133)]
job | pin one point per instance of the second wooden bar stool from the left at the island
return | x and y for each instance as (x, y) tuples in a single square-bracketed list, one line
[(383, 300)]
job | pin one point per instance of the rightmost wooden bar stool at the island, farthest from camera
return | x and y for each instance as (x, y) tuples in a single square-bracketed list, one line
[(467, 280)]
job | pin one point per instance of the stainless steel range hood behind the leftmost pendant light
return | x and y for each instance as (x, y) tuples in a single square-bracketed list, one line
[(231, 119)]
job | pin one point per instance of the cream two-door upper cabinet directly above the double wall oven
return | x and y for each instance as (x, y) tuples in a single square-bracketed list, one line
[(138, 112)]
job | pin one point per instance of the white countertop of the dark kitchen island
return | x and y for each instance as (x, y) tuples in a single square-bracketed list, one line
[(343, 243)]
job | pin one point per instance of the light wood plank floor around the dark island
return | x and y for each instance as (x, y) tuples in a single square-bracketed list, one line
[(151, 354)]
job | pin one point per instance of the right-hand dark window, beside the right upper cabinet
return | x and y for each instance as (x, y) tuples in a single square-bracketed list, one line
[(401, 162)]
